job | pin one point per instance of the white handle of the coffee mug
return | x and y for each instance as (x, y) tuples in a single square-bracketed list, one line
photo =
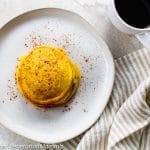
[(144, 38)]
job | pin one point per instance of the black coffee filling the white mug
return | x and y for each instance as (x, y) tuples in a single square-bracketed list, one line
[(134, 12)]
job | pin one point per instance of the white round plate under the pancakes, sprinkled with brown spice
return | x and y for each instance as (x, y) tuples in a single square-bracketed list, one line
[(63, 29)]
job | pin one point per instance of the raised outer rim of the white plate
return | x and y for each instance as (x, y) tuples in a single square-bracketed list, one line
[(110, 81)]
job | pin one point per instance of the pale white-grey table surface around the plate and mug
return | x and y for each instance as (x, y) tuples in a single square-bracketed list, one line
[(94, 11)]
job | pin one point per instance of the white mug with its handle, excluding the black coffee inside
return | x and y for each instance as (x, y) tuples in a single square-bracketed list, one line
[(142, 34)]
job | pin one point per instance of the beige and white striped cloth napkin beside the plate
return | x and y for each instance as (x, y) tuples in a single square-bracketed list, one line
[(125, 122)]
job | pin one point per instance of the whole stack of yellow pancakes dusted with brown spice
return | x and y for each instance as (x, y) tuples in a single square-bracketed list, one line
[(47, 77)]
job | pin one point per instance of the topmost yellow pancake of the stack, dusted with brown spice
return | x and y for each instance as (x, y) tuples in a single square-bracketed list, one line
[(44, 73)]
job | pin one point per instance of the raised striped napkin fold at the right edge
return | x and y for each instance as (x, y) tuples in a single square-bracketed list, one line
[(132, 116)]
